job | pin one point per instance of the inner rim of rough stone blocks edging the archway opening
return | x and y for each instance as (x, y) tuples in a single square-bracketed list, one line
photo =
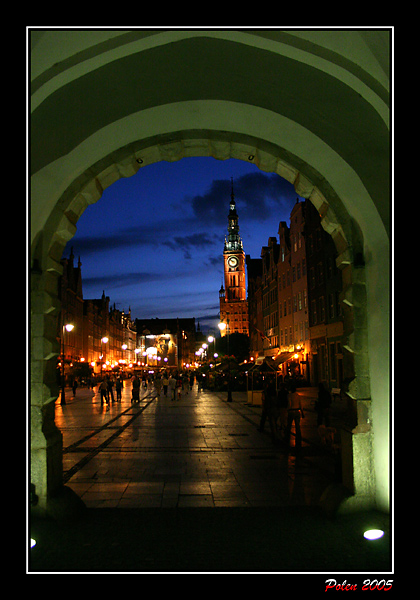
[(48, 463)]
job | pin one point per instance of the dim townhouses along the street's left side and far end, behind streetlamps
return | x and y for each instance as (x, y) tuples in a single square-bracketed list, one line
[(103, 337)]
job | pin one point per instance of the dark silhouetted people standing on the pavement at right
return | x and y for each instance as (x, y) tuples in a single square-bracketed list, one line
[(282, 407)]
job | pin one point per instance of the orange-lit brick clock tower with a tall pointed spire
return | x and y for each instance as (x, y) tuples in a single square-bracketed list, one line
[(233, 302)]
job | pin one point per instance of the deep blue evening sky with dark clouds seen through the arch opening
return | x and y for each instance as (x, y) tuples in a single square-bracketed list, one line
[(154, 241)]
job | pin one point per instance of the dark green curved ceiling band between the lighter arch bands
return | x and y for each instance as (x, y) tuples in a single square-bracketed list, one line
[(213, 69)]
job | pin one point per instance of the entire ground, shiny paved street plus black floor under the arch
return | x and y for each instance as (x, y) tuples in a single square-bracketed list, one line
[(191, 485)]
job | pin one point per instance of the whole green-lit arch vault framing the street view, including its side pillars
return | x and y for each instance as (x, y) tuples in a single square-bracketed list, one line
[(311, 106)]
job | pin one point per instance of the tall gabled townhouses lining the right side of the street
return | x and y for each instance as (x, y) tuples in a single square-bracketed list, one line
[(294, 300)]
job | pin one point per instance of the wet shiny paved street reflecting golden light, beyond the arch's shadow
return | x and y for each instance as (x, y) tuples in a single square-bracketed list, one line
[(196, 451)]
